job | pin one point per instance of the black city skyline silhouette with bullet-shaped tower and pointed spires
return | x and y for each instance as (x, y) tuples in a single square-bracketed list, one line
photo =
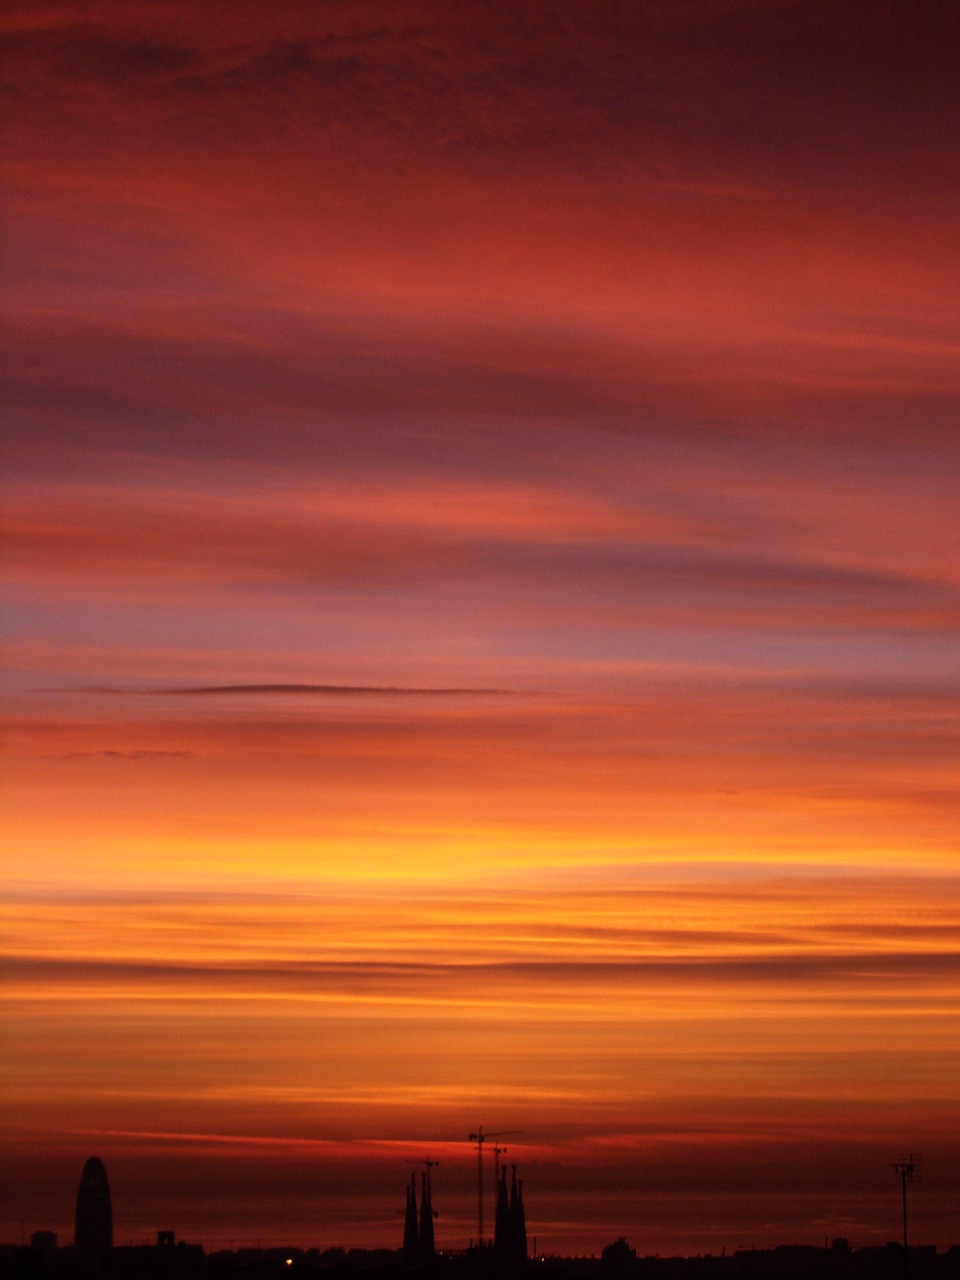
[(412, 1237)]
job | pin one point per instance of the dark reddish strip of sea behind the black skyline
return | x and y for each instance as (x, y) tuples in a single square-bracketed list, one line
[(665, 1224)]
